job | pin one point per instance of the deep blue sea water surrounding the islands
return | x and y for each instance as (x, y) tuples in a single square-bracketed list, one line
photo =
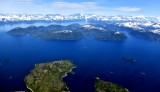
[(93, 58)]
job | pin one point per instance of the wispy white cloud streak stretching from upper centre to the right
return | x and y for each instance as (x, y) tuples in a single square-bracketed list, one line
[(92, 6)]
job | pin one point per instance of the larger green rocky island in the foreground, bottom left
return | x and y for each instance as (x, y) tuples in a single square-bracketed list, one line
[(47, 77)]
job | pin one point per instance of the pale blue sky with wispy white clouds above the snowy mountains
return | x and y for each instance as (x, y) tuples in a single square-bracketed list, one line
[(100, 7)]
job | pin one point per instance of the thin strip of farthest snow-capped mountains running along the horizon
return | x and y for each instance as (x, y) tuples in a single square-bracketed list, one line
[(58, 17)]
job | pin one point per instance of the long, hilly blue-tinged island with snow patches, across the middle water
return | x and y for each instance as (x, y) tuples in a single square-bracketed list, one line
[(70, 32)]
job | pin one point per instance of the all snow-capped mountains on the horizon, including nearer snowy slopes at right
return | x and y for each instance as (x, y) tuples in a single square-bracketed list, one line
[(141, 23)]
